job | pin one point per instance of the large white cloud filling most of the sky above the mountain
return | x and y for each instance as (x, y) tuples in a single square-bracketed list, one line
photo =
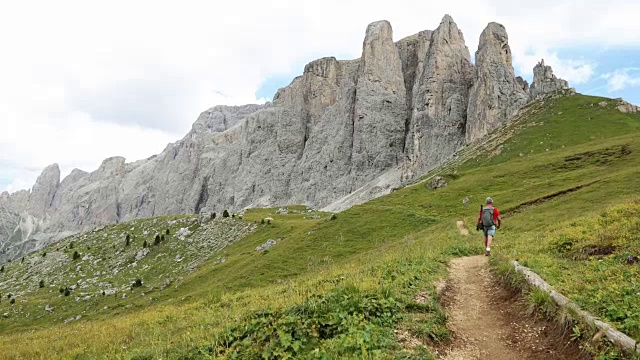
[(84, 80)]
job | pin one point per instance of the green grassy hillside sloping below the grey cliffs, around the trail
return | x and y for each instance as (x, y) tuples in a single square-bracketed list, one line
[(564, 175)]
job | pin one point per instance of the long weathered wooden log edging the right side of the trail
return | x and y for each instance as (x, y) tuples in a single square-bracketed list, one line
[(621, 340)]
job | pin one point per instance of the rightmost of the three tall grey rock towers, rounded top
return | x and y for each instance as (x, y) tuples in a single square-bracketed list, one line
[(496, 94)]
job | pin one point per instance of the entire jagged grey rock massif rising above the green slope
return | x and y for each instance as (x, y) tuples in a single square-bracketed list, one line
[(341, 133)]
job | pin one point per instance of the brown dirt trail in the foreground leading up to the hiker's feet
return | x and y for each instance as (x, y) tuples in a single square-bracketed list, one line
[(489, 322)]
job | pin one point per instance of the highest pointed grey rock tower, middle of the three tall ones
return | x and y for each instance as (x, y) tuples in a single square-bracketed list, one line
[(438, 119)]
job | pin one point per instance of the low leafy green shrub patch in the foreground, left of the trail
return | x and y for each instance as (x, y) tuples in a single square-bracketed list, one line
[(356, 320)]
